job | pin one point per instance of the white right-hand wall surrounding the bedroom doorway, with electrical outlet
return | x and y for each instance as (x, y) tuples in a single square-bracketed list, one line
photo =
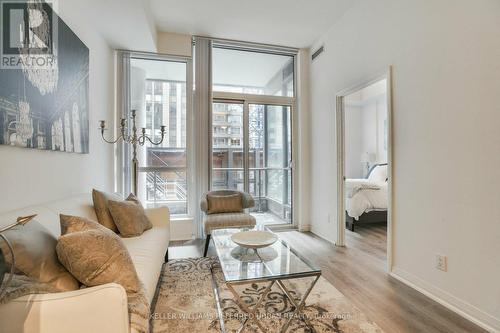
[(445, 55)]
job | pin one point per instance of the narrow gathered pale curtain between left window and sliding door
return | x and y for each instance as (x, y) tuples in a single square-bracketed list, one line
[(202, 109)]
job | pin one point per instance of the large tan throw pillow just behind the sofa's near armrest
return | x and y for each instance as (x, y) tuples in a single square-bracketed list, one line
[(96, 257)]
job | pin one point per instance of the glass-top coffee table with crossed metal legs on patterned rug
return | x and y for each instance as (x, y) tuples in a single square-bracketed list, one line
[(271, 265)]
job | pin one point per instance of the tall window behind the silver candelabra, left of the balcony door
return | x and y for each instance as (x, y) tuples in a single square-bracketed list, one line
[(158, 93)]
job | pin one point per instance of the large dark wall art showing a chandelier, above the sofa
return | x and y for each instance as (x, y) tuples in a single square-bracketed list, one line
[(44, 80)]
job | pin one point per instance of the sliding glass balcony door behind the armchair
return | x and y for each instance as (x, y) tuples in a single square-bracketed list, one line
[(252, 152)]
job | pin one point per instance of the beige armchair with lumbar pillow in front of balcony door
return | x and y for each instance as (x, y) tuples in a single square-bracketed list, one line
[(225, 209)]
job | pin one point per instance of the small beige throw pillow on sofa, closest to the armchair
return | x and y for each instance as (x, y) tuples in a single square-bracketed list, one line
[(129, 216)]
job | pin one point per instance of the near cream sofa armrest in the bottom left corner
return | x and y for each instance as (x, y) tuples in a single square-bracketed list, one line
[(94, 309)]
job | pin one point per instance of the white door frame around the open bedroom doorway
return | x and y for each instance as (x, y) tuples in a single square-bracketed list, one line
[(340, 138)]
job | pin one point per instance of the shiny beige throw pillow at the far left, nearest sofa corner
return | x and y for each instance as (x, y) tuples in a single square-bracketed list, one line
[(35, 256)]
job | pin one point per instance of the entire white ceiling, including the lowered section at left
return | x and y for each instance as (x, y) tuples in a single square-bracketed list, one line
[(133, 24)]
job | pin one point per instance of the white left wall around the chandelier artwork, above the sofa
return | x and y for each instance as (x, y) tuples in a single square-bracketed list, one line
[(29, 176)]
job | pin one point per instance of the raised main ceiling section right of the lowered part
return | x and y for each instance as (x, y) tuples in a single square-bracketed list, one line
[(296, 23)]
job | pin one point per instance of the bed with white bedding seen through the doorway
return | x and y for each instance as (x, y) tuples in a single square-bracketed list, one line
[(366, 199)]
